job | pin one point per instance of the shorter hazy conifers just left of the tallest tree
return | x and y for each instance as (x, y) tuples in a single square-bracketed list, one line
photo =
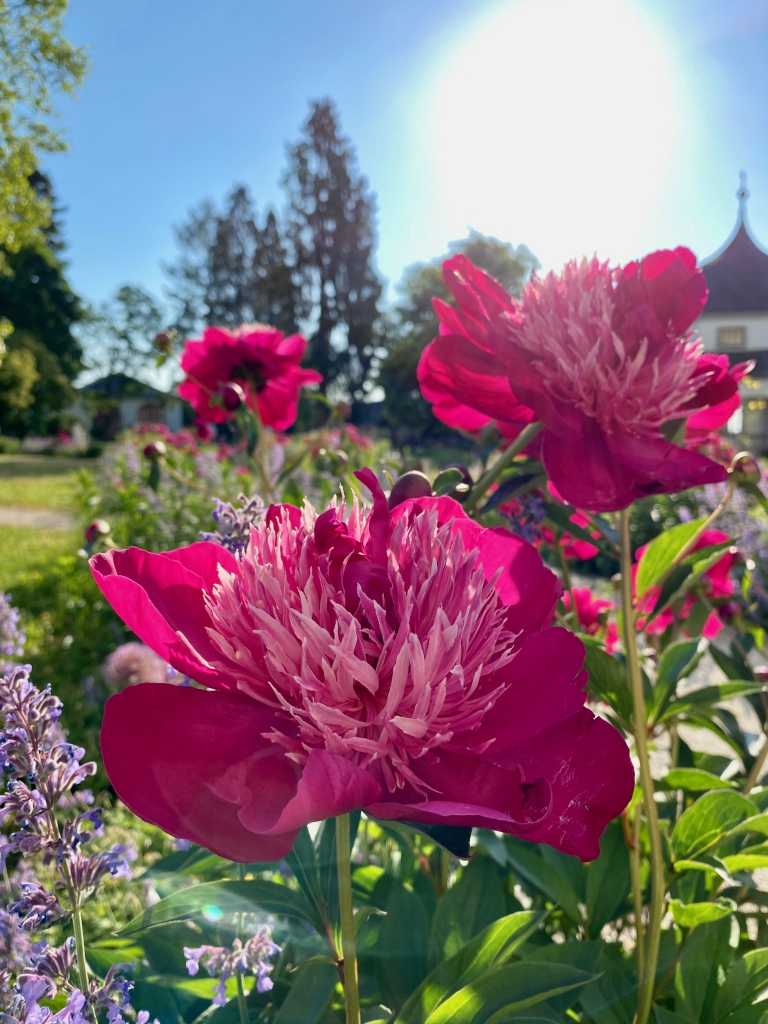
[(233, 270)]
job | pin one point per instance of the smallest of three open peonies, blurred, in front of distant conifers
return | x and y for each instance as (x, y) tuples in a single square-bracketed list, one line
[(261, 360)]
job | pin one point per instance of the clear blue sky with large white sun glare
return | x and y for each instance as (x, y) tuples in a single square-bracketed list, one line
[(575, 126)]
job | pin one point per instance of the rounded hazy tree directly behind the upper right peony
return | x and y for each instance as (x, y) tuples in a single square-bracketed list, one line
[(414, 325)]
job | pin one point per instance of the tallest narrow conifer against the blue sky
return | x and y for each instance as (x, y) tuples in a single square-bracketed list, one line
[(332, 231)]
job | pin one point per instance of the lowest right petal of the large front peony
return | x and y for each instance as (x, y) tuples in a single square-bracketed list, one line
[(588, 764)]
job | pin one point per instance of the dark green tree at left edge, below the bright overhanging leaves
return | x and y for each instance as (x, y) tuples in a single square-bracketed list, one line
[(44, 355)]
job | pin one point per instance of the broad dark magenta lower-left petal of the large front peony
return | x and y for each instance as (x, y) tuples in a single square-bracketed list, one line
[(172, 752)]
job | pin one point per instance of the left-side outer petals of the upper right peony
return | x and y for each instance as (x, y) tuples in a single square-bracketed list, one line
[(464, 372)]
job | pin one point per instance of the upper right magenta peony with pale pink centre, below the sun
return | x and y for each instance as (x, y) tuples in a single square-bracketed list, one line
[(603, 357)]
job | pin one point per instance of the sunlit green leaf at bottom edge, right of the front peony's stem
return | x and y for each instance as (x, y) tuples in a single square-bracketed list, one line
[(505, 991)]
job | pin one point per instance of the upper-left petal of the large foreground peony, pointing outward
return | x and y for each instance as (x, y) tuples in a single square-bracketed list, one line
[(161, 599)]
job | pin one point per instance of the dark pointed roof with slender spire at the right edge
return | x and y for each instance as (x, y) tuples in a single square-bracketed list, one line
[(738, 273)]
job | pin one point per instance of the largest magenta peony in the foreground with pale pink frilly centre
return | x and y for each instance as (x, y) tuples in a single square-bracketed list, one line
[(399, 662)]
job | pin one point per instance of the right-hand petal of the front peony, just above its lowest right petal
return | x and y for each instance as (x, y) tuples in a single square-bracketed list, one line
[(547, 687)]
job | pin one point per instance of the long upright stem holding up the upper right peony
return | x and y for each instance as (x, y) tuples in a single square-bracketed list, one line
[(654, 932)]
